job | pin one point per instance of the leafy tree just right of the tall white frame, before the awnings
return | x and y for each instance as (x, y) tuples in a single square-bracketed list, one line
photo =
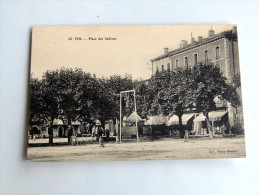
[(165, 93)]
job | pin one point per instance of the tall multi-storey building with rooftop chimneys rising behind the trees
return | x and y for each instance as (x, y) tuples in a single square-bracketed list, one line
[(220, 49)]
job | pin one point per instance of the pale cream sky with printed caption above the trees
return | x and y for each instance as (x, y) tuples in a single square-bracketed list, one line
[(130, 53)]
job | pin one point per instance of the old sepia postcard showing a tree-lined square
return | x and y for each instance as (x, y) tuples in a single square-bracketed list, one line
[(135, 92)]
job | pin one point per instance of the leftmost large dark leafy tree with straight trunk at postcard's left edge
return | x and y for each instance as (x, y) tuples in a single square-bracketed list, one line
[(67, 94)]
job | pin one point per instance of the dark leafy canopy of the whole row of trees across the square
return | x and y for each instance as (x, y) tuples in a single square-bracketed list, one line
[(72, 94)]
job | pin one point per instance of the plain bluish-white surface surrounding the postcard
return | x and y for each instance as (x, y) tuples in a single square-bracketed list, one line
[(222, 176)]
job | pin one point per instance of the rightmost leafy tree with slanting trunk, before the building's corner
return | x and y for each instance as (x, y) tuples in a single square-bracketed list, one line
[(208, 83)]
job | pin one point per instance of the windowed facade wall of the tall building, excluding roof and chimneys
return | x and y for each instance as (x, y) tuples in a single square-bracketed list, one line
[(228, 62)]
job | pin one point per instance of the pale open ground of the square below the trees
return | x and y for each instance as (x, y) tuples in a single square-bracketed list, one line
[(164, 149)]
